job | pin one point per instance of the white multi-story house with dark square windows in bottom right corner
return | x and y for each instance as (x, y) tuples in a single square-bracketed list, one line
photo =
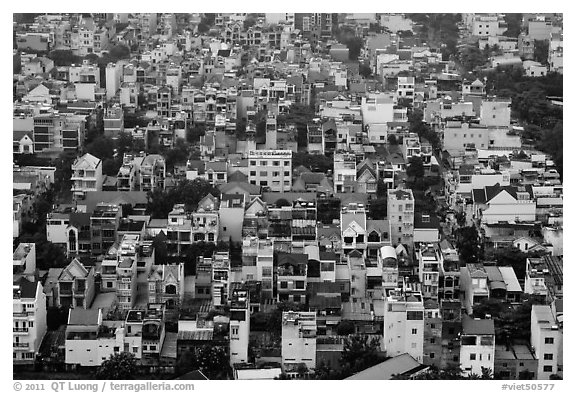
[(546, 336)]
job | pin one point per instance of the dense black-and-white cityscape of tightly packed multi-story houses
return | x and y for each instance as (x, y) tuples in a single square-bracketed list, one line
[(284, 196)]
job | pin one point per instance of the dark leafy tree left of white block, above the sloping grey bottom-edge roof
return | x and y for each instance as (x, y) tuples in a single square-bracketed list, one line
[(360, 352)]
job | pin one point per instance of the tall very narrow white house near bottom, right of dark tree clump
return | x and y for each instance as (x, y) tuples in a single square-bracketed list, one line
[(239, 325)]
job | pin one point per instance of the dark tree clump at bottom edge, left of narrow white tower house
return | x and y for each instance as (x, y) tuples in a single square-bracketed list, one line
[(211, 360)]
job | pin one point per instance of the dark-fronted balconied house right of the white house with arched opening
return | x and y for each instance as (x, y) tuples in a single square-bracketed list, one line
[(104, 223)]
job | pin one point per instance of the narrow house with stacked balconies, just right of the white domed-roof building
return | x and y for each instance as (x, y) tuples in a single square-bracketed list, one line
[(429, 262)]
